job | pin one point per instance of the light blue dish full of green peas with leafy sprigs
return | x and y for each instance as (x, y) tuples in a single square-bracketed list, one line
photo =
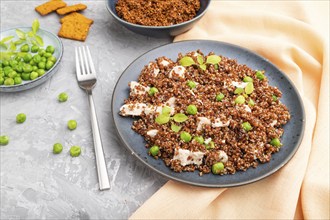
[(29, 56)]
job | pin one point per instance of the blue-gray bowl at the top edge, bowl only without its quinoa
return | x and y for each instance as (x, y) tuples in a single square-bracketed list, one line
[(158, 31)]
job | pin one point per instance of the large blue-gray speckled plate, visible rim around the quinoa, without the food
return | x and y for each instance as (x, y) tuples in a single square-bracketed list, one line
[(293, 130)]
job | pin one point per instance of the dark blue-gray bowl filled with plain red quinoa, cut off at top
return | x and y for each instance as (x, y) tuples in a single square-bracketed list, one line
[(157, 18)]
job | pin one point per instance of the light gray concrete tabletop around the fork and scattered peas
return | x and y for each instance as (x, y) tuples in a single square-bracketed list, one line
[(35, 183)]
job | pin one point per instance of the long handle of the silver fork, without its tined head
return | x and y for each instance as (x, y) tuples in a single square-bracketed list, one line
[(99, 154)]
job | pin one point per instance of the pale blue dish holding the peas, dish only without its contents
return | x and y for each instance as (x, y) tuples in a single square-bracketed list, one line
[(49, 39)]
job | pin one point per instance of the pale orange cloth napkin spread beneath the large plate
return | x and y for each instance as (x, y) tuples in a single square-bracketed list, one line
[(295, 37)]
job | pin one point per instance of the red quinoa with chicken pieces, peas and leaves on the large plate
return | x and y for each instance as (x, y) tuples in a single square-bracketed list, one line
[(206, 113)]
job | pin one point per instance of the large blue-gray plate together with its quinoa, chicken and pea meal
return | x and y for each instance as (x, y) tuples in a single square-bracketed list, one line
[(208, 113)]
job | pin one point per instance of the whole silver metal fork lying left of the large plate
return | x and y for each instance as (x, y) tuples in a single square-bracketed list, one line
[(86, 77)]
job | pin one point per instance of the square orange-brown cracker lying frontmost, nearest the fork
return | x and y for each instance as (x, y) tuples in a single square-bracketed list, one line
[(74, 30)]
